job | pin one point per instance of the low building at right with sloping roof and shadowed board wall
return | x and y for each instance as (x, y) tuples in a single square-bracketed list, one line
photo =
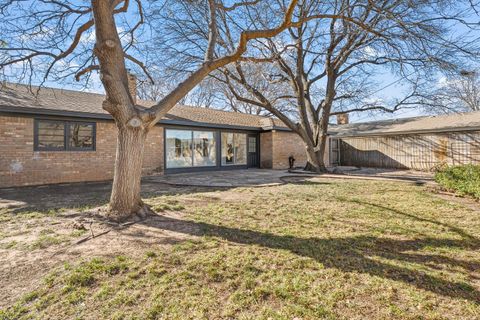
[(421, 143)]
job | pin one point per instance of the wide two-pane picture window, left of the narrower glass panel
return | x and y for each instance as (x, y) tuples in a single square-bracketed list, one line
[(187, 148)]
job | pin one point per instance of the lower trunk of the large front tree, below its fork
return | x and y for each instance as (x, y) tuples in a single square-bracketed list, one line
[(125, 199)]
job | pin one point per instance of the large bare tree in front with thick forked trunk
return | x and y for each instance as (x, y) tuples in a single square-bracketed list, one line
[(50, 37)]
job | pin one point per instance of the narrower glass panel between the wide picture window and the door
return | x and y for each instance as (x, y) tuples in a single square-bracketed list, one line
[(234, 148)]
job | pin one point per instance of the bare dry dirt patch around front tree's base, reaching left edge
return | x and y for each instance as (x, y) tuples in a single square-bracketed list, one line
[(25, 260)]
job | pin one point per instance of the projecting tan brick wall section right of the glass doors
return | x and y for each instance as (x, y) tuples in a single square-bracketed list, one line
[(277, 146)]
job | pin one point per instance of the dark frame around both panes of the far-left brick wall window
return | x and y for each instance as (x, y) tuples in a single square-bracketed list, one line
[(66, 135)]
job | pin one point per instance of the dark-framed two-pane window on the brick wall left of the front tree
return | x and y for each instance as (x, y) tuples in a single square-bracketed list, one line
[(56, 135)]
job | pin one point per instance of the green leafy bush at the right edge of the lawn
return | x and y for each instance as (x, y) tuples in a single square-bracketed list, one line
[(463, 180)]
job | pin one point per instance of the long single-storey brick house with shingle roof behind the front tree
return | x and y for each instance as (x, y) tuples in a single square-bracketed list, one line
[(65, 136)]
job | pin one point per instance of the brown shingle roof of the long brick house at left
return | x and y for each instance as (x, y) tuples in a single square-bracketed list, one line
[(17, 98)]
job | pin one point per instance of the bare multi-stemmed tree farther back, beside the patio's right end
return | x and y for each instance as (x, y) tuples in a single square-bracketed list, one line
[(325, 69)]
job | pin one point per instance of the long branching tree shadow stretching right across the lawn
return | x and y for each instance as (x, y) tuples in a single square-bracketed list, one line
[(360, 254)]
